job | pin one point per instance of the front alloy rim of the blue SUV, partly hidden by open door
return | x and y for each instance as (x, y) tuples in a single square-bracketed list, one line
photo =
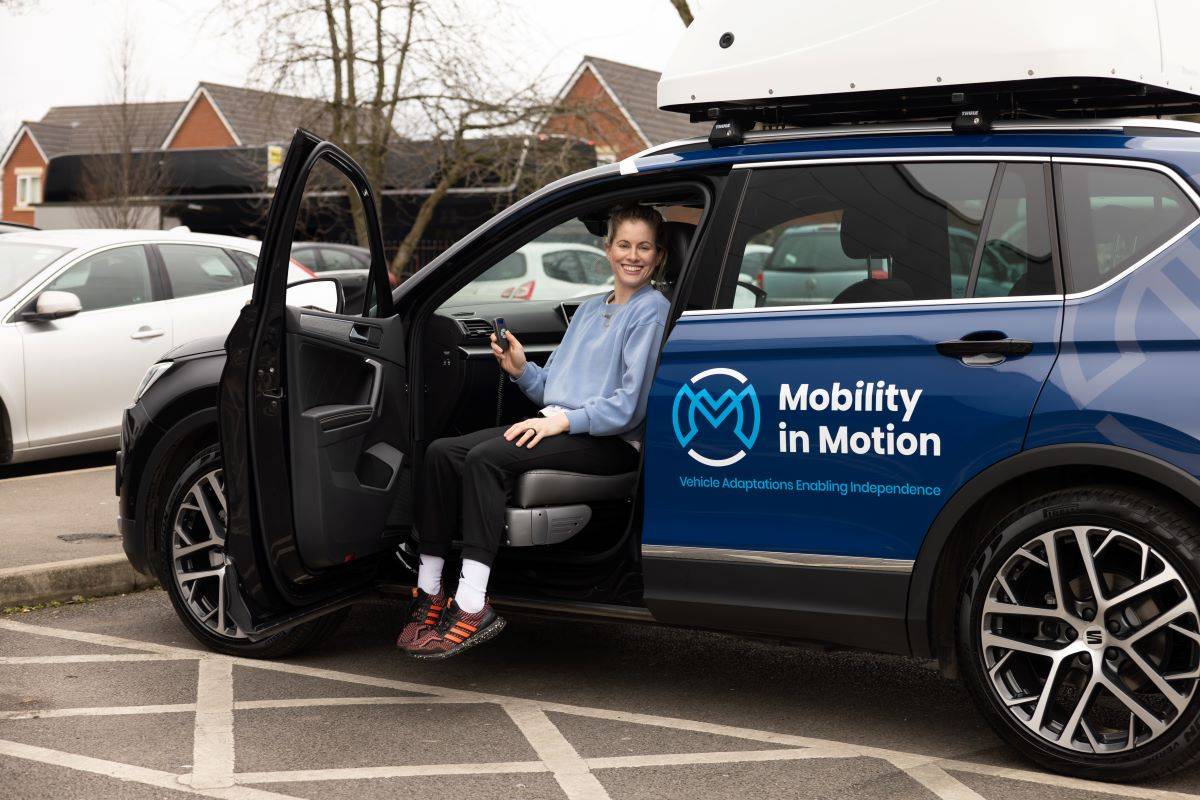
[(199, 557)]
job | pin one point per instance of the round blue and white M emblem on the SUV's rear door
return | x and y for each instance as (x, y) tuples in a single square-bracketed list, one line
[(740, 405)]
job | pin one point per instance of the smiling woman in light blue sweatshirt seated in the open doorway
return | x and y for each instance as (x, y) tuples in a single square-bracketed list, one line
[(593, 388)]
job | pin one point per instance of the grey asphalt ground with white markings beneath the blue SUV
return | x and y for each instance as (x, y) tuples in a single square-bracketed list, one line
[(112, 699)]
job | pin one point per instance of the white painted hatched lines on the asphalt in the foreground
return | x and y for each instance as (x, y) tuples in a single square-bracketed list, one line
[(215, 760)]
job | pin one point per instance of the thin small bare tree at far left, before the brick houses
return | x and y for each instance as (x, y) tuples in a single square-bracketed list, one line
[(122, 171)]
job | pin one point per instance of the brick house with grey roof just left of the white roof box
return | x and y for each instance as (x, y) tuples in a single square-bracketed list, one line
[(615, 106)]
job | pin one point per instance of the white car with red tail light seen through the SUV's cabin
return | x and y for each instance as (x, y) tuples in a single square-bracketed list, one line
[(542, 270)]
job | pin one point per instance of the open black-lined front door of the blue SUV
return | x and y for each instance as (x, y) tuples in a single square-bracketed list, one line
[(314, 416)]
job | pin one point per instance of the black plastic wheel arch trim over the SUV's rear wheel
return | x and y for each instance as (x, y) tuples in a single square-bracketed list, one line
[(964, 521)]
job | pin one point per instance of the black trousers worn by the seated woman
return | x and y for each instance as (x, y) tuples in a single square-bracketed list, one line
[(475, 473)]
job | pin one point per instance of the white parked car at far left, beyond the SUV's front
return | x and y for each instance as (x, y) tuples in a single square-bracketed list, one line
[(83, 316)]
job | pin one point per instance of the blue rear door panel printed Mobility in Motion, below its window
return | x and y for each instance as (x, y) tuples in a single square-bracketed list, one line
[(820, 531)]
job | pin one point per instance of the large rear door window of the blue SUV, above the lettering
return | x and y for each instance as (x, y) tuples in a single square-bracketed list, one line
[(860, 233)]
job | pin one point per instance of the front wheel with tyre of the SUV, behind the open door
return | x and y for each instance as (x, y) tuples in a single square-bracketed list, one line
[(191, 534)]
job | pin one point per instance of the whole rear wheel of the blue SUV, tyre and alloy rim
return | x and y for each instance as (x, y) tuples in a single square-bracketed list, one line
[(1144, 555)]
